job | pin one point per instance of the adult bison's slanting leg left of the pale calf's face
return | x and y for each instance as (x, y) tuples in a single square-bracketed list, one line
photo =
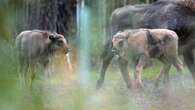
[(107, 57)]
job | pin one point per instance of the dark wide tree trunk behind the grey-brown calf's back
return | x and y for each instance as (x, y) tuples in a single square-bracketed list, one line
[(52, 15)]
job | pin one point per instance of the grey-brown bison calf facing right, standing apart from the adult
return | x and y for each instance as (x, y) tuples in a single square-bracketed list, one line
[(36, 47)]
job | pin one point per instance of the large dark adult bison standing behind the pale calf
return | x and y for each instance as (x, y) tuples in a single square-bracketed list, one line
[(176, 15)]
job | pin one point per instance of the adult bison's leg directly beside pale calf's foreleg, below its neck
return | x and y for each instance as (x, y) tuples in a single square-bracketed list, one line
[(123, 68)]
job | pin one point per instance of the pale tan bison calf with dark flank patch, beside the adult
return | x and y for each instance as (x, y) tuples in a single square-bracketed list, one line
[(141, 45)]
